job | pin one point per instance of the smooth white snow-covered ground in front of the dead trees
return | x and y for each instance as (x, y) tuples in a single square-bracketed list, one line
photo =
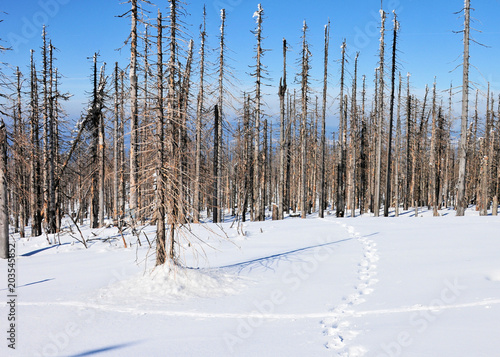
[(364, 286)]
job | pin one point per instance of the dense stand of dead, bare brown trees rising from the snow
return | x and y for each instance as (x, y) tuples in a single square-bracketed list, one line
[(164, 143)]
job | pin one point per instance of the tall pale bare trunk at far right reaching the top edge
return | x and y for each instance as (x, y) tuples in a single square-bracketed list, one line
[(462, 153)]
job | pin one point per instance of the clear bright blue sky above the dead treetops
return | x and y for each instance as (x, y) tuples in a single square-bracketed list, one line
[(427, 45)]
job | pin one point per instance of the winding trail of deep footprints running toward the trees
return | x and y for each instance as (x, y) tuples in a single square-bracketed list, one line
[(336, 325)]
